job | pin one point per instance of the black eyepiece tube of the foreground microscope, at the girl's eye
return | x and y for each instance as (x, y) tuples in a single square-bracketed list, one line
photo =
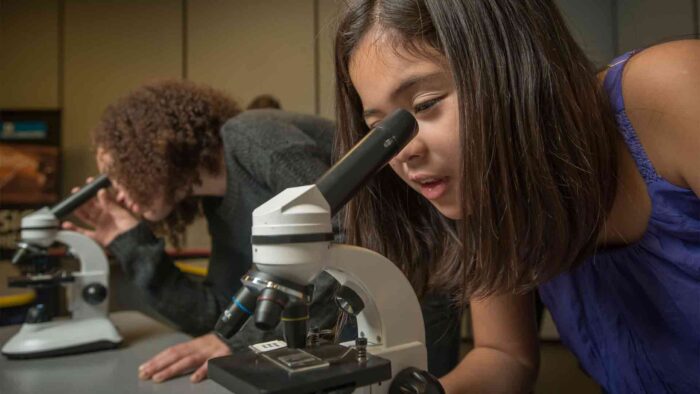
[(367, 157)]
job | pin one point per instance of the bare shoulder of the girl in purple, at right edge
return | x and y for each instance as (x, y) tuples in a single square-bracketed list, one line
[(661, 89)]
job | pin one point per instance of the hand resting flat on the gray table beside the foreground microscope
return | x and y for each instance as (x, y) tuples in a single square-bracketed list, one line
[(183, 358)]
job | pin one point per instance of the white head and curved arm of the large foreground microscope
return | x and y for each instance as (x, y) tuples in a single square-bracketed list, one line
[(391, 319)]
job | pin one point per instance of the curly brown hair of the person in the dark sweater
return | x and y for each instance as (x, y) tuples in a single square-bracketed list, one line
[(163, 134)]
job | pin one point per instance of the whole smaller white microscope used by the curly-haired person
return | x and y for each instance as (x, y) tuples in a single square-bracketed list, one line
[(89, 328)]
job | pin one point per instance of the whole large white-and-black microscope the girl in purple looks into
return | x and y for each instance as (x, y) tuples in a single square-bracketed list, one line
[(292, 243)]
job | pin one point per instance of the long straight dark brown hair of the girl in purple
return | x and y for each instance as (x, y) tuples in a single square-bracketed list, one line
[(538, 162)]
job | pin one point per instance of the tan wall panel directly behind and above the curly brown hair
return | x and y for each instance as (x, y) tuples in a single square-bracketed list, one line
[(111, 47)]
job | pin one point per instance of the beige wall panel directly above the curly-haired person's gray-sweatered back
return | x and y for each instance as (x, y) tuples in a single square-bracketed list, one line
[(251, 47)]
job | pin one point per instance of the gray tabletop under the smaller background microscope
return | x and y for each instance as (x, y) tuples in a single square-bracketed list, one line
[(110, 371)]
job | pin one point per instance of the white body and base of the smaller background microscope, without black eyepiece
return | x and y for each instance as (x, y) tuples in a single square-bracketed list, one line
[(89, 328)]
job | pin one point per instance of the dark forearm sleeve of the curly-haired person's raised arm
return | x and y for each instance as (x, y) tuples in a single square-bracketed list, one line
[(192, 306)]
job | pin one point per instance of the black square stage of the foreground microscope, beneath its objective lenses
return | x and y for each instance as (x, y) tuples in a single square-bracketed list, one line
[(248, 372)]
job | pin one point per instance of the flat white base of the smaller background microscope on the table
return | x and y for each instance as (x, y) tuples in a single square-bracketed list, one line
[(62, 337)]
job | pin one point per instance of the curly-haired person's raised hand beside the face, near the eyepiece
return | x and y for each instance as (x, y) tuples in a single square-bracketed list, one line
[(105, 215)]
